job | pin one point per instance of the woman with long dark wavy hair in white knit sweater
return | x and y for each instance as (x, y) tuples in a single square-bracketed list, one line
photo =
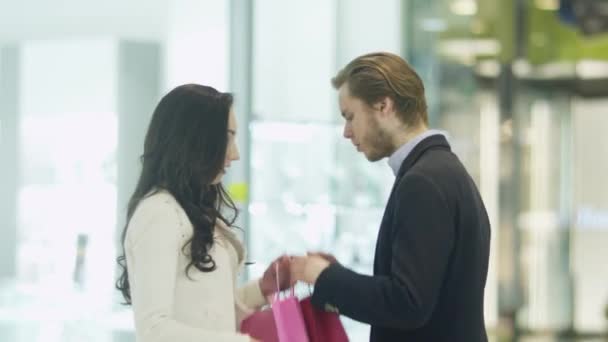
[(180, 255)]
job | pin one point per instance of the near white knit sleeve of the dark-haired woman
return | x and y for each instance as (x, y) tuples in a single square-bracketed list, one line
[(153, 247)]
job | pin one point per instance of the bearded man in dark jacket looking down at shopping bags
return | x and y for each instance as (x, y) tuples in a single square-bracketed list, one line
[(432, 251)]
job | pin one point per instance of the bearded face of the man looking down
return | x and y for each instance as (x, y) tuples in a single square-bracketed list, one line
[(362, 128)]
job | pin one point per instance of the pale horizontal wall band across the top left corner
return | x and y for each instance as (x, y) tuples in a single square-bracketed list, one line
[(42, 19)]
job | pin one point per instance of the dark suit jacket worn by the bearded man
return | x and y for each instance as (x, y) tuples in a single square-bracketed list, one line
[(431, 257)]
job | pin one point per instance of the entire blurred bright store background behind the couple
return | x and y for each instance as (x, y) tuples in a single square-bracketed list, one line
[(520, 85)]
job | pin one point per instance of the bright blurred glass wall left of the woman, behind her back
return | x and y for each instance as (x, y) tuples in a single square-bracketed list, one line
[(78, 86)]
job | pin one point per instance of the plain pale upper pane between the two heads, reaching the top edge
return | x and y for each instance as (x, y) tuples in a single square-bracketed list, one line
[(293, 59)]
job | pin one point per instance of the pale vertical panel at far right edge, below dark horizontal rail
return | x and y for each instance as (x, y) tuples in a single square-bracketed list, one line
[(590, 213)]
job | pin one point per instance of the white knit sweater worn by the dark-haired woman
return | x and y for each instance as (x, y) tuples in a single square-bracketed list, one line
[(170, 307)]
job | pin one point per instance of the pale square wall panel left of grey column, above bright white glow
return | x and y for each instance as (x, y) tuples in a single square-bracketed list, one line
[(68, 77)]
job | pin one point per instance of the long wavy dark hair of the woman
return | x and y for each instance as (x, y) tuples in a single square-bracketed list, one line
[(184, 151)]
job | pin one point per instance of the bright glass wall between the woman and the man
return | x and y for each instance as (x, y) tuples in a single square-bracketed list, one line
[(310, 190)]
